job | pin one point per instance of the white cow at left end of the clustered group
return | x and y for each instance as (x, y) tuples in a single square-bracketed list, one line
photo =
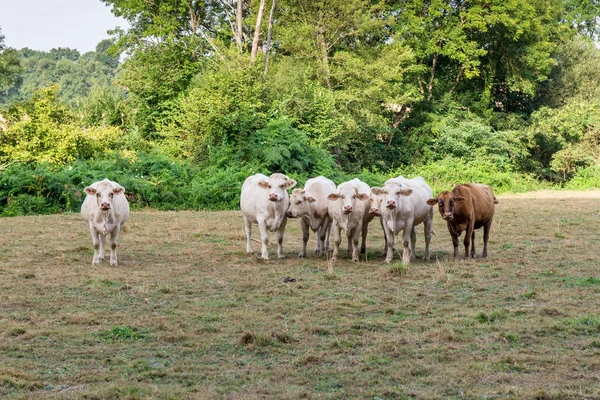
[(264, 201)]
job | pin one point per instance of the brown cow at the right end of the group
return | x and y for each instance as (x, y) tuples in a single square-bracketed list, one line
[(467, 207)]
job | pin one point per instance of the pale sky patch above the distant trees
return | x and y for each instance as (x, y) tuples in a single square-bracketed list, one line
[(47, 24)]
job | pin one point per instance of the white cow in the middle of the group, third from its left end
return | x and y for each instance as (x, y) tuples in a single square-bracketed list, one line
[(349, 210)]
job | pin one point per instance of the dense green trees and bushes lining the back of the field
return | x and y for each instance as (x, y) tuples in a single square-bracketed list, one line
[(501, 92)]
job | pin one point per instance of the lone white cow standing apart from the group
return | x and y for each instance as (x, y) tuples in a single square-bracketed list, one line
[(106, 209)]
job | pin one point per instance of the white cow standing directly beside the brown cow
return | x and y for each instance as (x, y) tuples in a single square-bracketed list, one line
[(404, 206)]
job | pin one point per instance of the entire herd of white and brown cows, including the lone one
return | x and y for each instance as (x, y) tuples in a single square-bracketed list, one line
[(400, 205)]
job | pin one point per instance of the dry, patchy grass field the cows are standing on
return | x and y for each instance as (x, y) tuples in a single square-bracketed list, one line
[(187, 314)]
